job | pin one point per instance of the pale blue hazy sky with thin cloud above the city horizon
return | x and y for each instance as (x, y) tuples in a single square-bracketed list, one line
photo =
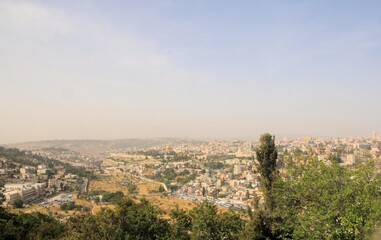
[(215, 69)]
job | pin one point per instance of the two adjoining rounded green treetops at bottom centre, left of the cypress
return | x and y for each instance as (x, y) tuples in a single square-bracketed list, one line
[(140, 221)]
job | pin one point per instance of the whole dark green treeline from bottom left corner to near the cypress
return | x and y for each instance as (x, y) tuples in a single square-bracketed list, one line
[(128, 220)]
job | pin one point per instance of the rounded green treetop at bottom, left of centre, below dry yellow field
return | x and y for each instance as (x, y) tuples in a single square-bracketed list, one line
[(130, 220)]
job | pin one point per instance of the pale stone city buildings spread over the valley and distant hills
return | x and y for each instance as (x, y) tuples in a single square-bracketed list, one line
[(221, 171)]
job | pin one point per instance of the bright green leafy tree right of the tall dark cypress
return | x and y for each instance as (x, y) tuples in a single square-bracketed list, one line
[(319, 201)]
